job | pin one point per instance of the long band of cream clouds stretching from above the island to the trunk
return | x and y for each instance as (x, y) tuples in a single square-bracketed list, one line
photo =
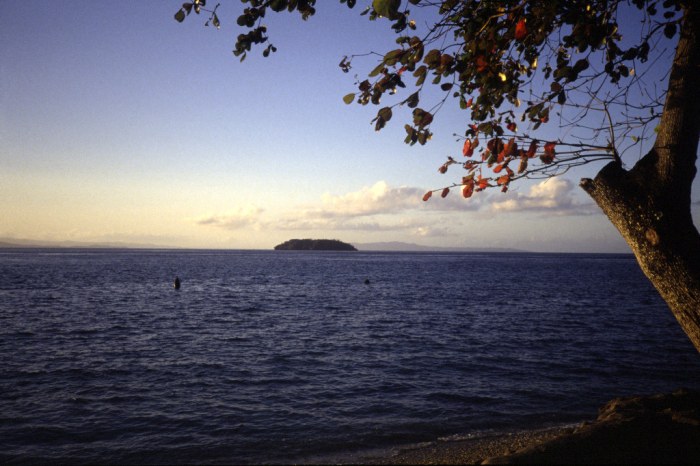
[(383, 208)]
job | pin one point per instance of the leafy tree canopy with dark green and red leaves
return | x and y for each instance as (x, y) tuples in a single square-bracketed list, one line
[(509, 63)]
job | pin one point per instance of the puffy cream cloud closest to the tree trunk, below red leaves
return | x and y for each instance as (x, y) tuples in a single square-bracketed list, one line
[(552, 196)]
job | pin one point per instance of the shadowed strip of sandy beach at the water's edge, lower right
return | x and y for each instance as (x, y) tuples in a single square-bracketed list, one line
[(657, 429)]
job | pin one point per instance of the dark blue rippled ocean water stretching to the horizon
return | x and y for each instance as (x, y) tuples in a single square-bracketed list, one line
[(272, 356)]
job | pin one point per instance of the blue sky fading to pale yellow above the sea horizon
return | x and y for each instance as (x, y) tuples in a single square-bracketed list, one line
[(119, 124)]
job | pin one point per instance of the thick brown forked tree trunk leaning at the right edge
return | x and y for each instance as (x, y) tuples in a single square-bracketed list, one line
[(650, 204)]
